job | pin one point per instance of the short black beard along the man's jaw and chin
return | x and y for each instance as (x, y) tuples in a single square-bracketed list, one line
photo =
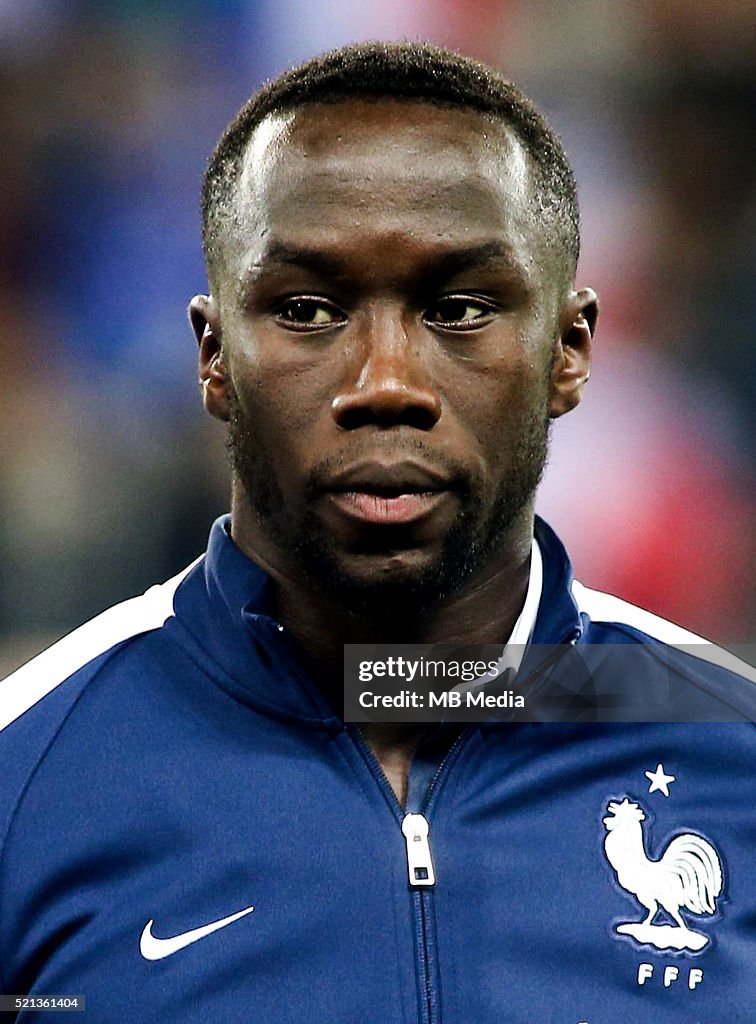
[(479, 531)]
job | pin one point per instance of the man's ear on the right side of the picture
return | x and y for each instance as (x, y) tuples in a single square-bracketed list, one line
[(573, 361)]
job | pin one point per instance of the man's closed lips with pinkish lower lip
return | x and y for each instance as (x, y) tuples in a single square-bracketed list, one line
[(389, 494)]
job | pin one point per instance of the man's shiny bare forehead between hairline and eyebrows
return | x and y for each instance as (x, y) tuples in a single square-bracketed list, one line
[(356, 173)]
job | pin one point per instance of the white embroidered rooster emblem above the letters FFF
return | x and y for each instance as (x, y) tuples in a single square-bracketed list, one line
[(689, 877)]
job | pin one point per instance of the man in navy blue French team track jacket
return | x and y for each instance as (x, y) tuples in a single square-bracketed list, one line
[(191, 832)]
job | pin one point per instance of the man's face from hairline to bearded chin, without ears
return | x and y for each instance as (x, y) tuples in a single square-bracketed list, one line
[(389, 321)]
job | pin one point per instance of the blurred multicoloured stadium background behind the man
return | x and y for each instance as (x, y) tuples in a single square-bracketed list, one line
[(110, 474)]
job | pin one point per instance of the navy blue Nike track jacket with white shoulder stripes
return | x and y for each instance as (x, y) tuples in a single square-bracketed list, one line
[(190, 834)]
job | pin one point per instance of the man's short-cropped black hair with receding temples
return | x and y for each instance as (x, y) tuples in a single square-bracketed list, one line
[(401, 71)]
